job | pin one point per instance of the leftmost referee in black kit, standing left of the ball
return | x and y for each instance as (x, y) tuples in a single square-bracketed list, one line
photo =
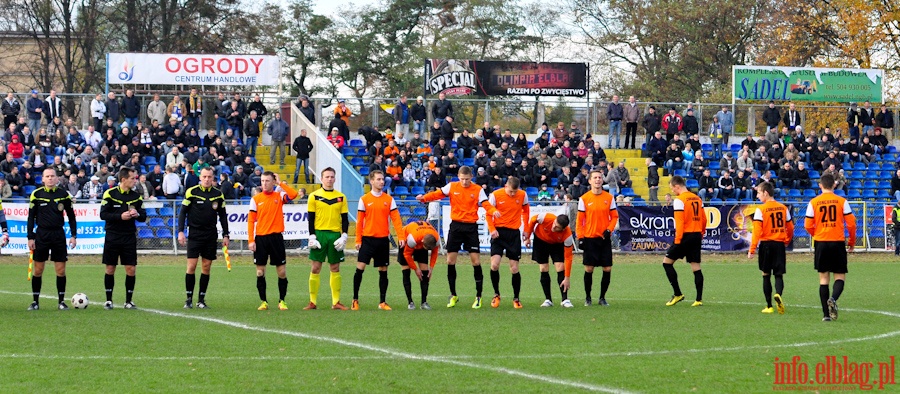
[(45, 210)]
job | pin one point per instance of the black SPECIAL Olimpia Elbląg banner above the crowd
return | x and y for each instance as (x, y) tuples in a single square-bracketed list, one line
[(498, 78)]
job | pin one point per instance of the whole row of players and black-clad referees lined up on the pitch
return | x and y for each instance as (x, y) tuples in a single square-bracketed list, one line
[(507, 209)]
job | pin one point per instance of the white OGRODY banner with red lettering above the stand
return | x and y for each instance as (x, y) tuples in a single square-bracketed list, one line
[(192, 69)]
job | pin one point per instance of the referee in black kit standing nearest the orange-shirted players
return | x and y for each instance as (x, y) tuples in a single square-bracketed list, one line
[(201, 206)]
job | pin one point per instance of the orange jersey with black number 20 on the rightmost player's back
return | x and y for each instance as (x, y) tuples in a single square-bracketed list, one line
[(826, 217)]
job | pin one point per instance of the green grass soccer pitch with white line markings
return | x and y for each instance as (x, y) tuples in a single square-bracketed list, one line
[(635, 345)]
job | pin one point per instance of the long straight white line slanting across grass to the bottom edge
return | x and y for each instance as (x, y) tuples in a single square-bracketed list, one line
[(387, 351)]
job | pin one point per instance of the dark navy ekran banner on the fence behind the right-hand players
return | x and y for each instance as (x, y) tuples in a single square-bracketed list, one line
[(652, 229)]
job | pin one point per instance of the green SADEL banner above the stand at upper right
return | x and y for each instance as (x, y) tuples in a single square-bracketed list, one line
[(807, 84)]
